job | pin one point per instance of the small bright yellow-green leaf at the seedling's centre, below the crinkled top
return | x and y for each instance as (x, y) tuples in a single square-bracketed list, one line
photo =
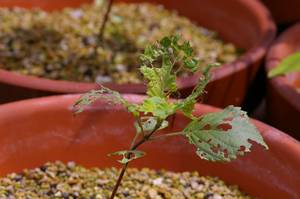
[(158, 107)]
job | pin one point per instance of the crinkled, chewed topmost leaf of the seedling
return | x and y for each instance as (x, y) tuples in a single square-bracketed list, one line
[(161, 78)]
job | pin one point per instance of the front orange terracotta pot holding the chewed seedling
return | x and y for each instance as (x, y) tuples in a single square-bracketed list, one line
[(33, 132)]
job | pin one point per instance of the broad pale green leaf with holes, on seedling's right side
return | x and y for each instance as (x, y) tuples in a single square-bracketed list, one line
[(224, 135)]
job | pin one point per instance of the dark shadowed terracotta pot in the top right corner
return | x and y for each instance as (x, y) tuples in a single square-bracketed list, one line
[(284, 11)]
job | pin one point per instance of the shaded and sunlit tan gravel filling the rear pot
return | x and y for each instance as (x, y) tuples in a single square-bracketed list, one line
[(64, 45)]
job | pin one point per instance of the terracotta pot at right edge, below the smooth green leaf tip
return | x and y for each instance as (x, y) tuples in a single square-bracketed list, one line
[(283, 101)]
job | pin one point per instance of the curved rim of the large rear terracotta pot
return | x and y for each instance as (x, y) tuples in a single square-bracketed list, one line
[(250, 56)]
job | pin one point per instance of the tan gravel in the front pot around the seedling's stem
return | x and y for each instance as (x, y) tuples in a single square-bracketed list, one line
[(70, 181)]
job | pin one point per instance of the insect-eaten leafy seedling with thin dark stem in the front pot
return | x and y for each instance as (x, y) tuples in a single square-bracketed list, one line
[(218, 136)]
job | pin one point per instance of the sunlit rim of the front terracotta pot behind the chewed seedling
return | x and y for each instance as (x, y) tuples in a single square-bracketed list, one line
[(60, 101)]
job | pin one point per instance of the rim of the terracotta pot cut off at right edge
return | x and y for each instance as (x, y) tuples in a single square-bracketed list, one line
[(282, 83)]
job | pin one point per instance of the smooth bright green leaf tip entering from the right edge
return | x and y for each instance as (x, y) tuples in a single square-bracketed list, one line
[(289, 64)]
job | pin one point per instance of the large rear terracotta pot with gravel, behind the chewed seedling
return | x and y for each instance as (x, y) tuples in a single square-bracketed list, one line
[(245, 23)]
